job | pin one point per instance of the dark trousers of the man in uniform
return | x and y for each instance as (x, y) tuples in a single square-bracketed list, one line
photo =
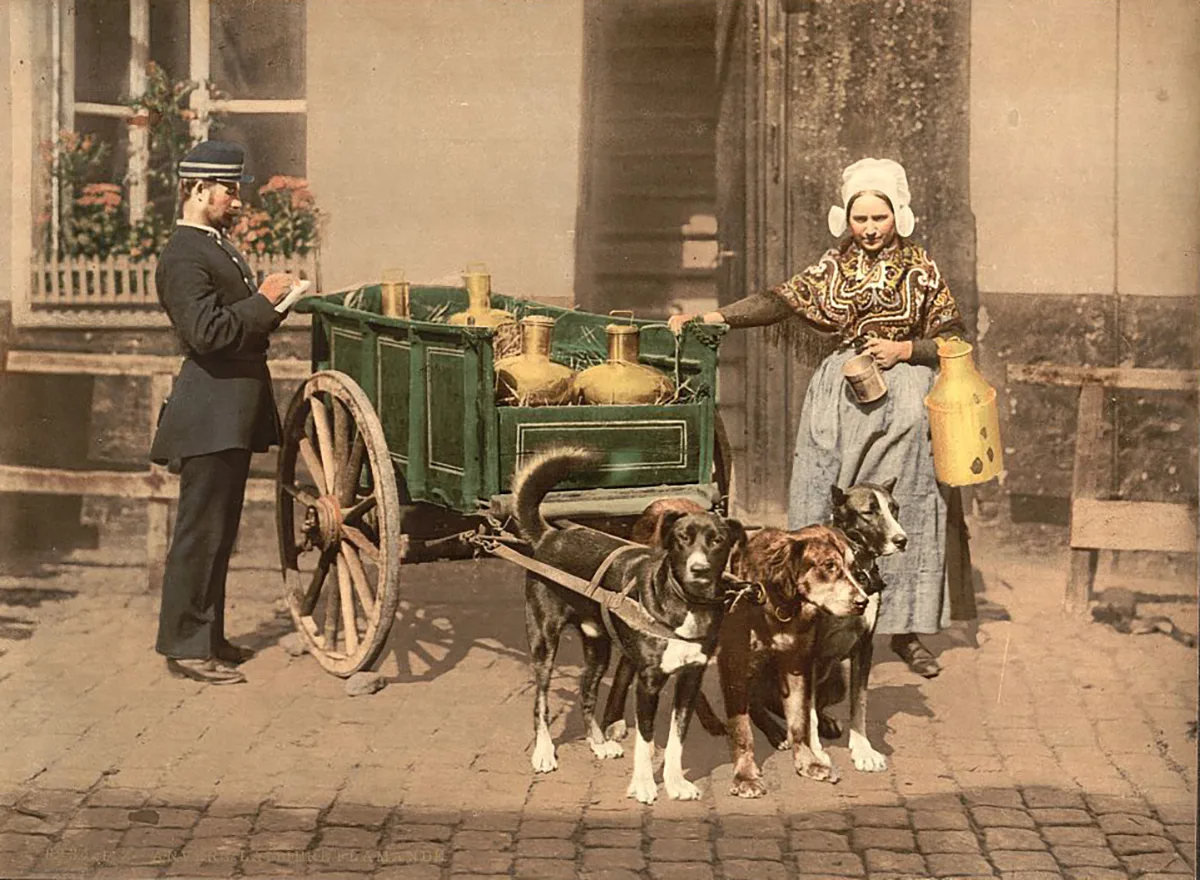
[(212, 489)]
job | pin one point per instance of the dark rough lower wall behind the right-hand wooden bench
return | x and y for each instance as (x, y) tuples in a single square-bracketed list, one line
[(1156, 446)]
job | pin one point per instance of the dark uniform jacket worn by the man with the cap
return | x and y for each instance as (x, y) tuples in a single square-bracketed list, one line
[(223, 397)]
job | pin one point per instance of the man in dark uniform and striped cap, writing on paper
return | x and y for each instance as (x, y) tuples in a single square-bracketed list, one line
[(220, 411)]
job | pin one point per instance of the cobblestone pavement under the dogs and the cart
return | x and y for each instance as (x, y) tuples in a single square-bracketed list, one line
[(1048, 749)]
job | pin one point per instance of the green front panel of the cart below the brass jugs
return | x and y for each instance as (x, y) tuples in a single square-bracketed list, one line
[(644, 446)]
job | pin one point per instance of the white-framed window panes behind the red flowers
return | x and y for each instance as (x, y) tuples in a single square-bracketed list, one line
[(248, 57)]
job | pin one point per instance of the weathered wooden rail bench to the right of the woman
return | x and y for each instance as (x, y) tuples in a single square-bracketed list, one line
[(1099, 523)]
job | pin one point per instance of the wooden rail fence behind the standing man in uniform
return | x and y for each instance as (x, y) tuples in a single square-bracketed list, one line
[(155, 486)]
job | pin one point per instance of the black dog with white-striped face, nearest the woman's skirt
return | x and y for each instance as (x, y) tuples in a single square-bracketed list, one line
[(843, 646)]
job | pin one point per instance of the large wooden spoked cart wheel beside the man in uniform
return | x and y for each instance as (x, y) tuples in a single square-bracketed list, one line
[(339, 524)]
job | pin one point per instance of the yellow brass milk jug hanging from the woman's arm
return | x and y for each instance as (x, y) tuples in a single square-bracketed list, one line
[(964, 420)]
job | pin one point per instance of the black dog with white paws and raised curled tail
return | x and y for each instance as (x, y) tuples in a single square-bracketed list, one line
[(680, 585)]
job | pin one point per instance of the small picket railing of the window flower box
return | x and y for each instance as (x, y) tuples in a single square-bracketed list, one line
[(118, 283)]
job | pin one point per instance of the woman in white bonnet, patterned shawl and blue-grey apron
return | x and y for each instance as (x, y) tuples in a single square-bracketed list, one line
[(883, 295)]
